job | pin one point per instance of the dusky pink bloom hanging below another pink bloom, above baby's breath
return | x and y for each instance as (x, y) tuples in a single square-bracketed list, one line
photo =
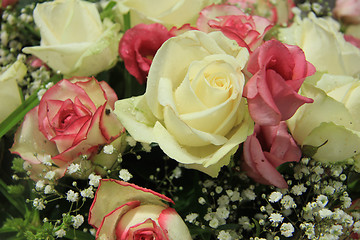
[(265, 150)]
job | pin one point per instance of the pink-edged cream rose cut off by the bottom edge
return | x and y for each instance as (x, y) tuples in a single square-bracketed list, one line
[(124, 211)]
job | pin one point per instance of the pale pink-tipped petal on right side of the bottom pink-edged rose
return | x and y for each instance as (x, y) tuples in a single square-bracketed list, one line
[(173, 225)]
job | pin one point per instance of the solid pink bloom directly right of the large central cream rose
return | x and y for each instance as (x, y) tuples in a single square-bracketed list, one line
[(278, 72)]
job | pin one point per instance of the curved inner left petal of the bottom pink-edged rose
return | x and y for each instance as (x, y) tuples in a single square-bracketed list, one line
[(109, 222)]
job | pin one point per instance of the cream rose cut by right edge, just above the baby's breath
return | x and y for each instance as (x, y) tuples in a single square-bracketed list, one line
[(332, 121)]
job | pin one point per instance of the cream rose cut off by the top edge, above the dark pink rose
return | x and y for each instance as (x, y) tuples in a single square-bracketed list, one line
[(167, 12)]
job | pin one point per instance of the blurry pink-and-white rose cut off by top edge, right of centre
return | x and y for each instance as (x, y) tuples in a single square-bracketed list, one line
[(277, 12)]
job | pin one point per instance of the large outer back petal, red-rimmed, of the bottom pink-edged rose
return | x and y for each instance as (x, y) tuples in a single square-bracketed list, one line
[(104, 201)]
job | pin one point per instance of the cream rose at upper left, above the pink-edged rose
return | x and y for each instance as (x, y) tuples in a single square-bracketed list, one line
[(74, 40)]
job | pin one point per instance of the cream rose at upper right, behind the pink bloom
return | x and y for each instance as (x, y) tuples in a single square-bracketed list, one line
[(323, 44)]
